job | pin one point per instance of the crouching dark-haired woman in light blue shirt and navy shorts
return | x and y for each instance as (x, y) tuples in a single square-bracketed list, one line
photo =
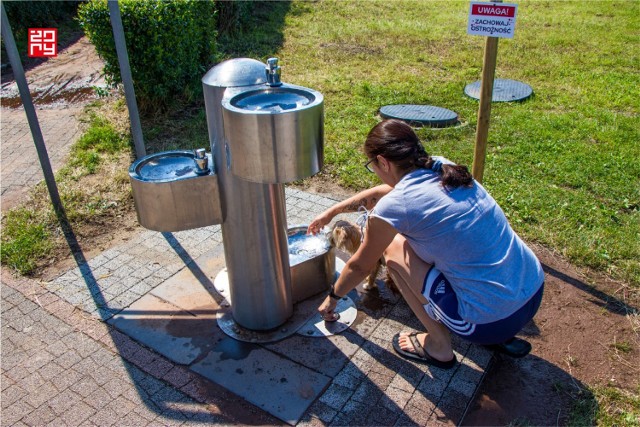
[(447, 244)]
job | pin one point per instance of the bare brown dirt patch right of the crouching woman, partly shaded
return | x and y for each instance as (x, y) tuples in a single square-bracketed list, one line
[(582, 335)]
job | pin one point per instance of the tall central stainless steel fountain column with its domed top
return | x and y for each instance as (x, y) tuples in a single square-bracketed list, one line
[(254, 227)]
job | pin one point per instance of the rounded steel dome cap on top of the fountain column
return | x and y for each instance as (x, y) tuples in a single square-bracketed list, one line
[(236, 72)]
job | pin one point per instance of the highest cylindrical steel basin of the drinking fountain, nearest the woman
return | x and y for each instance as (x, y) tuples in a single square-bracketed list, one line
[(275, 134)]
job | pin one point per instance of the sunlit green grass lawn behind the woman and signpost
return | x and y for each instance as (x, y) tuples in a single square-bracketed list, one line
[(563, 165)]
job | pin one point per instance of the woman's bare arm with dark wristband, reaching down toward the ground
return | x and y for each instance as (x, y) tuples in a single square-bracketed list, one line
[(378, 235)]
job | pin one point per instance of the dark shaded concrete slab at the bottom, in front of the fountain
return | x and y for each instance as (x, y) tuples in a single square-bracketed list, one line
[(279, 386)]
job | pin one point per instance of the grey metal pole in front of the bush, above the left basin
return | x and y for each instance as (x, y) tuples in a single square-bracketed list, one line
[(125, 73)]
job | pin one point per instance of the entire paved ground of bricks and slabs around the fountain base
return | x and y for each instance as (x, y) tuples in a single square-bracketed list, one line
[(138, 323)]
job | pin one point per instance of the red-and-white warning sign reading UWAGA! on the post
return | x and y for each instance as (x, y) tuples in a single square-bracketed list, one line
[(492, 19)]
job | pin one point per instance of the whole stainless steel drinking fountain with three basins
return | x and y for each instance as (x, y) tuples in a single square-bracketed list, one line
[(263, 134)]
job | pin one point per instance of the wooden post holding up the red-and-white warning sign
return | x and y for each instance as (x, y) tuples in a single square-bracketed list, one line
[(484, 111)]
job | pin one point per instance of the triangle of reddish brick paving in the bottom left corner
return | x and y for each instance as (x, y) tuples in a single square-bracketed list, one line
[(61, 366)]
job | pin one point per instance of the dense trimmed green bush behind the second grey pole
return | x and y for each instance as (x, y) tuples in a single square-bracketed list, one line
[(170, 45)]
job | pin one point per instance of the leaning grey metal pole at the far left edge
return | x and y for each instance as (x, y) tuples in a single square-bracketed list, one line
[(30, 111)]
